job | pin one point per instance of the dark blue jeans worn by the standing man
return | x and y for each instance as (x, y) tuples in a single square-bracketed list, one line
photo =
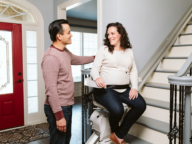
[(56, 136)]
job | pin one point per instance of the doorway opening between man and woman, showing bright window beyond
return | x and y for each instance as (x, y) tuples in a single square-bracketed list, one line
[(83, 22)]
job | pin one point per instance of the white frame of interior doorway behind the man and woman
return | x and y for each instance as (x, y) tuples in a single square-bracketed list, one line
[(62, 8)]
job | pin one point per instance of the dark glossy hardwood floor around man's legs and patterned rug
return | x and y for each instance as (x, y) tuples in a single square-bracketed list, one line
[(76, 125)]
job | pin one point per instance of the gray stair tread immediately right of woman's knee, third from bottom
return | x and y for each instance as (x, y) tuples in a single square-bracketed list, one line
[(160, 104)]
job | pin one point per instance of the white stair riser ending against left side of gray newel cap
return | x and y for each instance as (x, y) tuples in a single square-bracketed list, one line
[(159, 77)]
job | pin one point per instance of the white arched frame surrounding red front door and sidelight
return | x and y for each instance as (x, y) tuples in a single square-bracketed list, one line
[(39, 27)]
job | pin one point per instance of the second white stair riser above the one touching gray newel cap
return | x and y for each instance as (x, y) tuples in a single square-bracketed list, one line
[(179, 51)]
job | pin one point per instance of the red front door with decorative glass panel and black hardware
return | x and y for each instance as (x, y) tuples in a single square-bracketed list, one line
[(11, 76)]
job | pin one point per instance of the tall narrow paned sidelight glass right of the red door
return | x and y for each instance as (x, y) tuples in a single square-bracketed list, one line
[(32, 77)]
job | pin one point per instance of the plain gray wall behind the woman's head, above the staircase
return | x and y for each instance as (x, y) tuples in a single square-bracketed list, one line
[(147, 22)]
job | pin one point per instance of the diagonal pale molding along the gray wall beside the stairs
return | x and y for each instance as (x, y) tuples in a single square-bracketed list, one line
[(155, 60)]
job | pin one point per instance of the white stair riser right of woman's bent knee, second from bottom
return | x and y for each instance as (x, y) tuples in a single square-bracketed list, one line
[(158, 114)]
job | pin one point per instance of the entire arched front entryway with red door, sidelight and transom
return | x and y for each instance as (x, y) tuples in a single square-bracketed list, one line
[(21, 51)]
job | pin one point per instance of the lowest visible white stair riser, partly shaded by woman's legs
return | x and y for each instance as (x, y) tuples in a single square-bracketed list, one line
[(148, 134)]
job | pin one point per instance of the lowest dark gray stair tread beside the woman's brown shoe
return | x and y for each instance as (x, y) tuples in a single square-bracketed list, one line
[(135, 140)]
